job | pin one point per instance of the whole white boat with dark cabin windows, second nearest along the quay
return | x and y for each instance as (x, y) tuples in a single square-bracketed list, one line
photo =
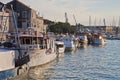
[(41, 47)]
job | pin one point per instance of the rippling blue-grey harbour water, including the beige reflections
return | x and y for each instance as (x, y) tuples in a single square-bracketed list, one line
[(87, 63)]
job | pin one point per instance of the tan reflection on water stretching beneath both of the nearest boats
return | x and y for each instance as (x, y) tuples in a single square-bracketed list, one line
[(37, 73)]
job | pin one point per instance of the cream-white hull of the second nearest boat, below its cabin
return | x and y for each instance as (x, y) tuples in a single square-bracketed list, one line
[(40, 57)]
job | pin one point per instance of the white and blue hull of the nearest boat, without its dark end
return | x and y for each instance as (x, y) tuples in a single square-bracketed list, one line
[(7, 64)]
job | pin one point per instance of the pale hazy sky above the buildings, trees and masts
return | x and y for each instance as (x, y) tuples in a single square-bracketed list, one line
[(82, 9)]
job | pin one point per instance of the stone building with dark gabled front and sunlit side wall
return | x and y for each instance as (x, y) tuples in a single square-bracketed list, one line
[(27, 17)]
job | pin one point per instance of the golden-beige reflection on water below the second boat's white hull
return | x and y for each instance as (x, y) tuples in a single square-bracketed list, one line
[(44, 72)]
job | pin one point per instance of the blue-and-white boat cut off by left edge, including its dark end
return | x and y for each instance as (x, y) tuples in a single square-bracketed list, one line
[(12, 63)]
